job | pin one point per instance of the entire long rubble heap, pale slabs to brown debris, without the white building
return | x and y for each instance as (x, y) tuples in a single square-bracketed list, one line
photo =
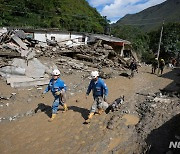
[(21, 66)]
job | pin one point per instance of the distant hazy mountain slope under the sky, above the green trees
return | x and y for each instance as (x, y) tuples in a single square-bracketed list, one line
[(152, 17)]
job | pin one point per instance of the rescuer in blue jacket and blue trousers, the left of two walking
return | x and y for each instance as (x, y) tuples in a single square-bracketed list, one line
[(58, 89)]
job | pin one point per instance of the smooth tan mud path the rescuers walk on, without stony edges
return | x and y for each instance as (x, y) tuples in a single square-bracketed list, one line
[(67, 133)]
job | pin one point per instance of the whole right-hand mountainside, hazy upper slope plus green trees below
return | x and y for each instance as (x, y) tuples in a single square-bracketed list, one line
[(145, 36)]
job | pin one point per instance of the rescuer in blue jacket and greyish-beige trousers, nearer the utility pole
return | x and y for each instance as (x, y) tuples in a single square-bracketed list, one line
[(100, 93)]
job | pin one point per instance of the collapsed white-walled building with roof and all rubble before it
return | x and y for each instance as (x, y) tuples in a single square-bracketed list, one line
[(20, 50)]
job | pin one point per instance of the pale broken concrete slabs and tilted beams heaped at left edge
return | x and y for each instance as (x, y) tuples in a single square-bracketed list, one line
[(19, 66)]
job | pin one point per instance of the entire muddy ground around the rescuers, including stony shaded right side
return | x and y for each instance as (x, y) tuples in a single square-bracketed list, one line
[(138, 127)]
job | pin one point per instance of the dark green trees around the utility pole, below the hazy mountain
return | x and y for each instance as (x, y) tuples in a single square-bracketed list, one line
[(146, 44)]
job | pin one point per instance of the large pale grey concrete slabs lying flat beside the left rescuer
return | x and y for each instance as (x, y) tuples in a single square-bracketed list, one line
[(20, 73)]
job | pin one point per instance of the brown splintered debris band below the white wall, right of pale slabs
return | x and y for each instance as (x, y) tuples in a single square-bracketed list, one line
[(94, 57)]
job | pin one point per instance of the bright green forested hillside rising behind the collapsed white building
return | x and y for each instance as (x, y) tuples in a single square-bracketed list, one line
[(63, 14)]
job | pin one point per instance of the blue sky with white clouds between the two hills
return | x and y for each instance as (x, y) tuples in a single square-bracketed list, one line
[(116, 9)]
